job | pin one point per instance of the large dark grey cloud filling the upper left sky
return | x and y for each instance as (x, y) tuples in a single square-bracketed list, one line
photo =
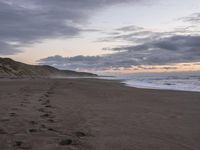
[(29, 21)]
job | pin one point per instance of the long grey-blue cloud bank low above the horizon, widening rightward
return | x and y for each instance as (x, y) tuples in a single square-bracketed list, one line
[(168, 50)]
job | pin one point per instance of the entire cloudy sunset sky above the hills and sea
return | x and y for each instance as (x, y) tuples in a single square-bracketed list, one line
[(103, 35)]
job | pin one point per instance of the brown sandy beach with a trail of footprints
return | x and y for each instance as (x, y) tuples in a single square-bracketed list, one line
[(92, 114)]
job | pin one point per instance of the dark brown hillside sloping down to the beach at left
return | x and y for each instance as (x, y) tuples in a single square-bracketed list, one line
[(13, 69)]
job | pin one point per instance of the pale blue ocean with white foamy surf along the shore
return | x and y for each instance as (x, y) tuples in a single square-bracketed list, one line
[(181, 81)]
